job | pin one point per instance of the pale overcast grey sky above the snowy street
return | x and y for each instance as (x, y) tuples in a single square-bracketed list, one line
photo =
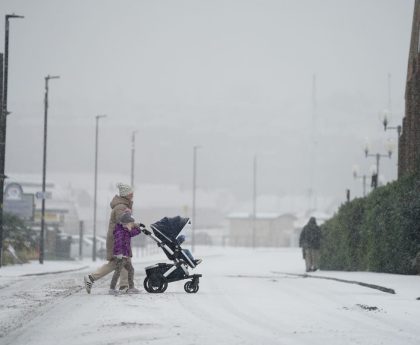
[(232, 76)]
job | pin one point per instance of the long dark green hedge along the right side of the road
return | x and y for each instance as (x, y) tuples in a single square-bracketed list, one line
[(378, 233)]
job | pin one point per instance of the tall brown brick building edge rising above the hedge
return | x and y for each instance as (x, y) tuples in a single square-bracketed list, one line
[(409, 145)]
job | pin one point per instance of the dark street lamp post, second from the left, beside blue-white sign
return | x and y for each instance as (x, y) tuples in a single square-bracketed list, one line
[(44, 170)]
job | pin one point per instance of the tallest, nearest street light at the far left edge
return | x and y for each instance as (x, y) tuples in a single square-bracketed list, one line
[(4, 78)]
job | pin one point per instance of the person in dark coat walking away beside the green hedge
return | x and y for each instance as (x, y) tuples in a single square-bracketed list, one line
[(310, 241)]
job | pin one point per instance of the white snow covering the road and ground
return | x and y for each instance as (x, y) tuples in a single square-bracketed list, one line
[(244, 298)]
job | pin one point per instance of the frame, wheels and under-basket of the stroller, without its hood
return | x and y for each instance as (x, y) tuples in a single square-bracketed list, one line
[(158, 276)]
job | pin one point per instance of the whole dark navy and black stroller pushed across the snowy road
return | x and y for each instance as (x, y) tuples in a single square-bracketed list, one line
[(166, 234)]
